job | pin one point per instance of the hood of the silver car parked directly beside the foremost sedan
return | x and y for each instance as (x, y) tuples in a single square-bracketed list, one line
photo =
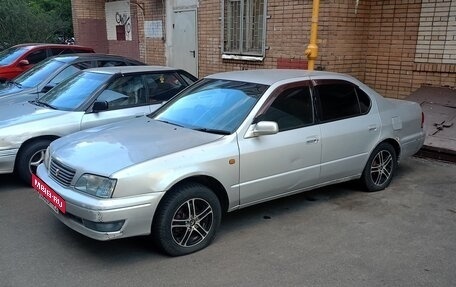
[(25, 112)]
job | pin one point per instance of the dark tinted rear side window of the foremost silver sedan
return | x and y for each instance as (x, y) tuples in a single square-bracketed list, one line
[(339, 100)]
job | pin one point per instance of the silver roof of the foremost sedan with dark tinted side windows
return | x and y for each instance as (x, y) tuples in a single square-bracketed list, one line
[(270, 76)]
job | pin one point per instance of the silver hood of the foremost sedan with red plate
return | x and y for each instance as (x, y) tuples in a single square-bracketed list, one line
[(111, 148)]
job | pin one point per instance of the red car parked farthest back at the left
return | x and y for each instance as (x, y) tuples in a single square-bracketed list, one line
[(17, 59)]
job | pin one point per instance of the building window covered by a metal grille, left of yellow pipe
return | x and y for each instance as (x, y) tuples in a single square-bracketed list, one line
[(244, 27)]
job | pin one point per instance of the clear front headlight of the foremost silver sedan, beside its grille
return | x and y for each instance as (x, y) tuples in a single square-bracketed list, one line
[(96, 185)]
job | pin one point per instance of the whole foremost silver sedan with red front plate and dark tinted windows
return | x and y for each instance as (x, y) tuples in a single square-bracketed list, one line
[(229, 141)]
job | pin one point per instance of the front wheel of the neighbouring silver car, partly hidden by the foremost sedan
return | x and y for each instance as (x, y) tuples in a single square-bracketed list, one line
[(29, 157)]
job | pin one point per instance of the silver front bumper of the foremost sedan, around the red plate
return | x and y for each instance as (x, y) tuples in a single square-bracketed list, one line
[(131, 216)]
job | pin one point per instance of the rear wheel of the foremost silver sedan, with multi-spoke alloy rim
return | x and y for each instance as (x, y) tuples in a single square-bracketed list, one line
[(380, 168)]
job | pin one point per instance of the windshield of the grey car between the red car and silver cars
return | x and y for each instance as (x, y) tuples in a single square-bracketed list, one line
[(38, 73)]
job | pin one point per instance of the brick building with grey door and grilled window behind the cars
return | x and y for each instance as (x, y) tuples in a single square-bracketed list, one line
[(394, 46)]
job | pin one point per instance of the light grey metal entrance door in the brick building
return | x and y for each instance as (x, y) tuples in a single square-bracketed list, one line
[(184, 53)]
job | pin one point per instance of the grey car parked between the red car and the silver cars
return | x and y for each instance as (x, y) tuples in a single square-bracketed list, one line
[(49, 73)]
